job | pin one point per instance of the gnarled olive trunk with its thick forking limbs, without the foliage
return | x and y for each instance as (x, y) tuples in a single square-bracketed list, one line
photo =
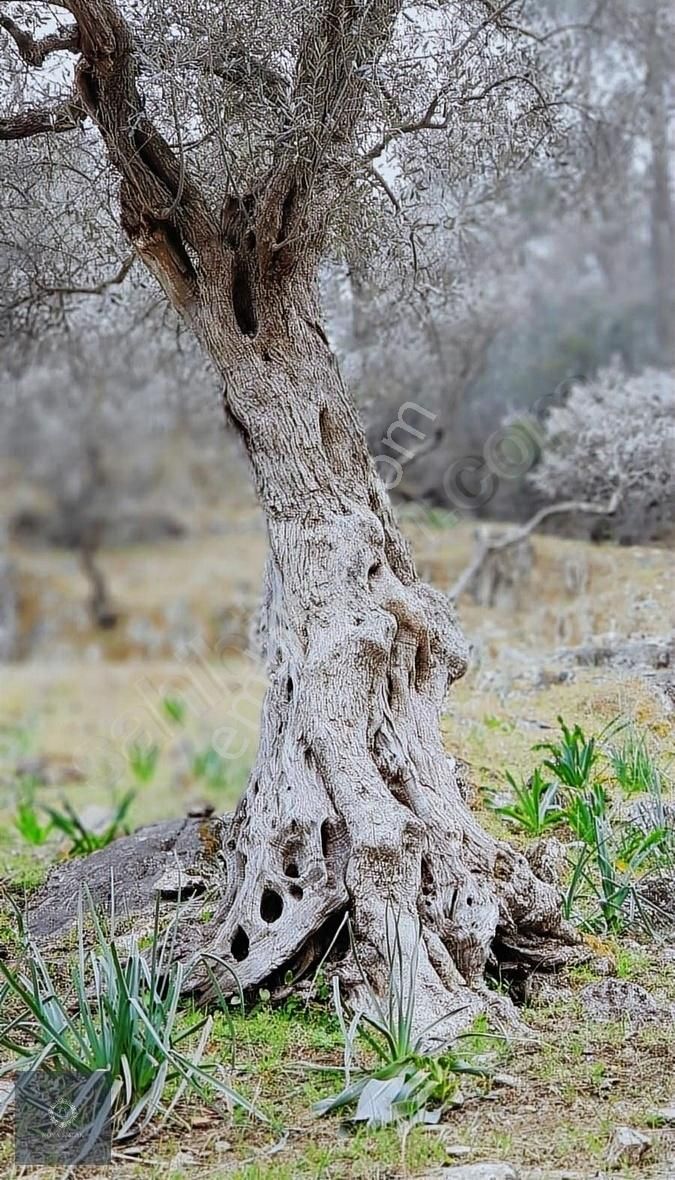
[(353, 804)]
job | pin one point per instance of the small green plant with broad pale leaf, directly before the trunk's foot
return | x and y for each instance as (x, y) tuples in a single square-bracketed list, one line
[(405, 1083)]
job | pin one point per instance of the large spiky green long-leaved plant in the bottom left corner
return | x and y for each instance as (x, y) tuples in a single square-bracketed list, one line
[(119, 1015)]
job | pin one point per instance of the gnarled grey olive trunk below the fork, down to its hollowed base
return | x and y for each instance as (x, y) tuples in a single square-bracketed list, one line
[(353, 804)]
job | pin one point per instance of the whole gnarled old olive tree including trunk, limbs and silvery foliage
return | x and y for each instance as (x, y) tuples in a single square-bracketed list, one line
[(248, 147)]
